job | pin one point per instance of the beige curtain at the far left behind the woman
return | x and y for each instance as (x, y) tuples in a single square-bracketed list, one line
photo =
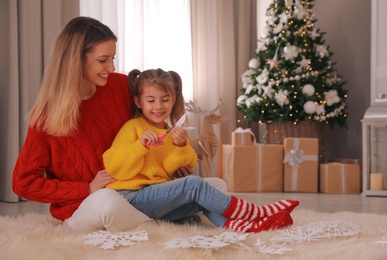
[(28, 29)]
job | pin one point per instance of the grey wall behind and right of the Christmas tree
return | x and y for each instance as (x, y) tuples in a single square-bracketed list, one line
[(347, 25)]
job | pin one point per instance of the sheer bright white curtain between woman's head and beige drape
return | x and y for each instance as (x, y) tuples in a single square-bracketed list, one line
[(151, 34)]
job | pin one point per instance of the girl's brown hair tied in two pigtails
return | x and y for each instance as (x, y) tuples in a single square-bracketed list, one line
[(169, 81)]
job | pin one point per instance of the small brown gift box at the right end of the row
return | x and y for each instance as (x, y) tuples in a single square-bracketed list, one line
[(340, 178)]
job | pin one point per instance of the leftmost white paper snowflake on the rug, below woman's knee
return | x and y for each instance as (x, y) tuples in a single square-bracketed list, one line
[(109, 240)]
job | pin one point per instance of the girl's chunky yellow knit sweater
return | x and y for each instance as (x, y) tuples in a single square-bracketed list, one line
[(135, 166)]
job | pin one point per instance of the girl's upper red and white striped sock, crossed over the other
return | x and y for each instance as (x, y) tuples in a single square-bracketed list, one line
[(241, 209)]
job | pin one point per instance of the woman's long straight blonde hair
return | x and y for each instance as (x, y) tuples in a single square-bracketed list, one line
[(57, 105)]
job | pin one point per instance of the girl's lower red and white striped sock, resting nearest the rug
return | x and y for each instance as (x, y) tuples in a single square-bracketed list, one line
[(278, 220)]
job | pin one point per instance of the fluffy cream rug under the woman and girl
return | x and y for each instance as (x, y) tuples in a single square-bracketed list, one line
[(342, 235)]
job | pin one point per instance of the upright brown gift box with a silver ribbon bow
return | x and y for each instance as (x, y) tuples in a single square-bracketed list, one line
[(301, 165)]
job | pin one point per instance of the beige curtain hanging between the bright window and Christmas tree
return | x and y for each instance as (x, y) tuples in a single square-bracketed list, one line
[(224, 39)]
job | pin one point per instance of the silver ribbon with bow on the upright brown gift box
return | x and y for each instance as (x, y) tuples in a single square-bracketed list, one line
[(295, 158)]
